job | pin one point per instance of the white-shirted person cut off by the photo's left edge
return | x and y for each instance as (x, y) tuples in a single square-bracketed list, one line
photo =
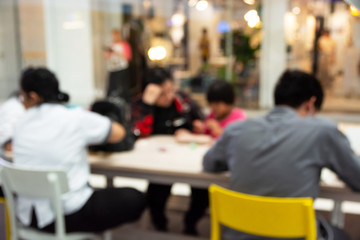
[(10, 111)]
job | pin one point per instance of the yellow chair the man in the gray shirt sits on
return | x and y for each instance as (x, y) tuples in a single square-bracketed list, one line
[(261, 216)]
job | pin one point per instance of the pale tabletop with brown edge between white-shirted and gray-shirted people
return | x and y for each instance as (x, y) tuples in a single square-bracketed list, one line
[(160, 160)]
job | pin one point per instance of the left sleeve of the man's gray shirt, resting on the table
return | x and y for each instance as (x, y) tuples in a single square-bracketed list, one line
[(215, 160)]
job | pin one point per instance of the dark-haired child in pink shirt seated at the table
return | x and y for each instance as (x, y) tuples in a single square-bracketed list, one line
[(220, 96)]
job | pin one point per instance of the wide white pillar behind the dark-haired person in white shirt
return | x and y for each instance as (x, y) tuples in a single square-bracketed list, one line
[(69, 51)]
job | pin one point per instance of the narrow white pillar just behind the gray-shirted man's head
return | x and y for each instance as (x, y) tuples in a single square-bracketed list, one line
[(273, 49)]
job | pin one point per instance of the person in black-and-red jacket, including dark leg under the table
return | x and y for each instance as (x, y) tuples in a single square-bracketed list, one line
[(163, 111)]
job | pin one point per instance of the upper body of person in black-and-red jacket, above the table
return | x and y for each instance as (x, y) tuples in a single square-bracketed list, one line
[(162, 110)]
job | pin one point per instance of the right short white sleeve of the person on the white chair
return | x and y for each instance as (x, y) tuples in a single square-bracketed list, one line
[(96, 128)]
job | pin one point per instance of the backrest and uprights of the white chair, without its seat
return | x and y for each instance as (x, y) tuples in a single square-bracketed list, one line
[(35, 184)]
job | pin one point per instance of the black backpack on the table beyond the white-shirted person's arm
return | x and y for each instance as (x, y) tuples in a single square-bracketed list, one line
[(116, 109)]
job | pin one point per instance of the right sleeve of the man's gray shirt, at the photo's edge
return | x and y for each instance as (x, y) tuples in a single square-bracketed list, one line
[(341, 159)]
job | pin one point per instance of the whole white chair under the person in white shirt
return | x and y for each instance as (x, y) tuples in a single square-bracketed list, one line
[(39, 184)]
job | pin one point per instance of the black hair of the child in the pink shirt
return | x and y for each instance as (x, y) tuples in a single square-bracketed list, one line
[(220, 91)]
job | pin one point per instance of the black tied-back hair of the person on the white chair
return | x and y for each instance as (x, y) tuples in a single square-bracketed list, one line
[(44, 83)]
